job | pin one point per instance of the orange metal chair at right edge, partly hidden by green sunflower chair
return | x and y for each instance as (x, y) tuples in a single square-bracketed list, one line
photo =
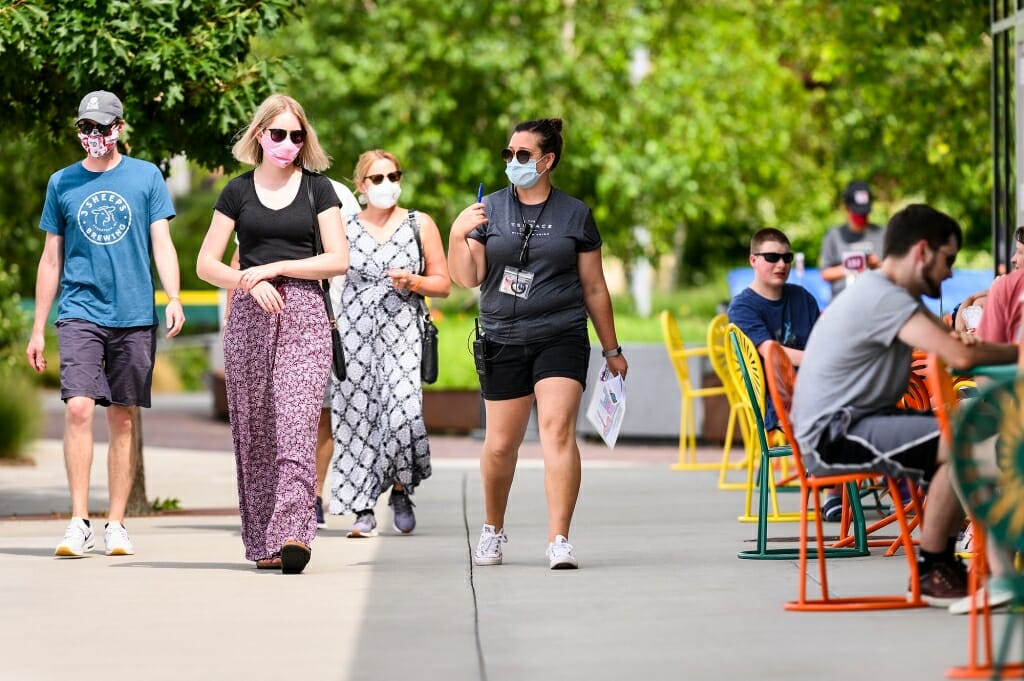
[(979, 624)]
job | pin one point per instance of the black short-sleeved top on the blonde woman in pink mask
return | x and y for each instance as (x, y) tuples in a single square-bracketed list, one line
[(266, 235)]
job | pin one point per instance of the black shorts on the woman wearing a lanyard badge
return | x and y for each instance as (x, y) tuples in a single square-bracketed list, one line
[(515, 370)]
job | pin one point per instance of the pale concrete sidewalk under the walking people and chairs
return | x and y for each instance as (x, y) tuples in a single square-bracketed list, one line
[(660, 593)]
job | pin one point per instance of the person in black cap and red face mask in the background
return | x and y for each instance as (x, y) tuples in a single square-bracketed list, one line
[(854, 247)]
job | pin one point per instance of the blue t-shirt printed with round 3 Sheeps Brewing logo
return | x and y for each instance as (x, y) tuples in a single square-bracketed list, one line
[(105, 221)]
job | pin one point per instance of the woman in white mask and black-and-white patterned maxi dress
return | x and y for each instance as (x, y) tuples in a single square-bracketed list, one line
[(380, 438)]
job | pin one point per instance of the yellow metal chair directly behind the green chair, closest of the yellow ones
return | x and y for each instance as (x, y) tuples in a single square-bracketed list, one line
[(752, 365)]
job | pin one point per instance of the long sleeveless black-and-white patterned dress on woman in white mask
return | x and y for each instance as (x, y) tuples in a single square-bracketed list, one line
[(377, 411)]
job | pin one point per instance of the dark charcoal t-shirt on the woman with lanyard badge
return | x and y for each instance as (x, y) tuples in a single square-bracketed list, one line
[(561, 231)]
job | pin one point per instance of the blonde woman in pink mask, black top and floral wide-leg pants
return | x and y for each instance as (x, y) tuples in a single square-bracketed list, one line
[(277, 340)]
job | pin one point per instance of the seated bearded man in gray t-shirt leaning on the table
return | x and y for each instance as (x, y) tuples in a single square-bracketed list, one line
[(858, 365)]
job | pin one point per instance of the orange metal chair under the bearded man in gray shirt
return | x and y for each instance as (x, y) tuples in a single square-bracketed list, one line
[(782, 379)]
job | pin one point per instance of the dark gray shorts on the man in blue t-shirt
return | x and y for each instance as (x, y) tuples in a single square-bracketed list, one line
[(111, 365)]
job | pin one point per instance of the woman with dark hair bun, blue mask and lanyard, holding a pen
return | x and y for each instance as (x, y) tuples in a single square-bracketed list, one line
[(536, 254)]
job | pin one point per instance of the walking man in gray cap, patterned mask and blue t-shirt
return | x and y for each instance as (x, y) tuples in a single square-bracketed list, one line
[(103, 219)]
